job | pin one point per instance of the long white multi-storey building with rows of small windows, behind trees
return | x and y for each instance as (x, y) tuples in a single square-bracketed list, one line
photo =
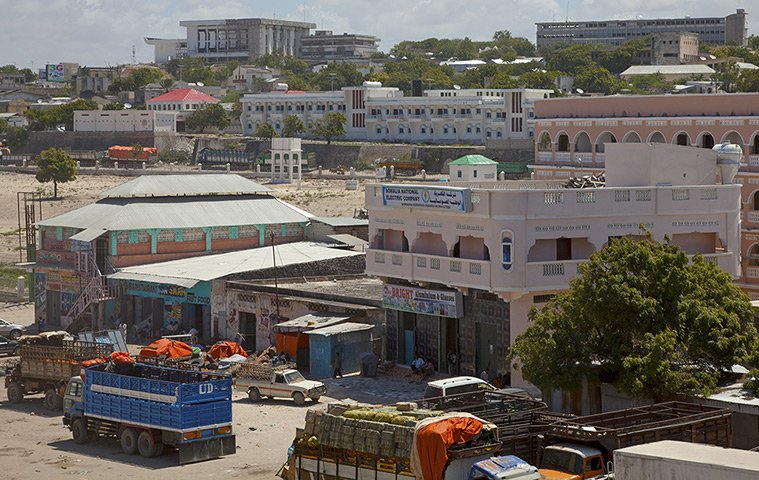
[(376, 113)]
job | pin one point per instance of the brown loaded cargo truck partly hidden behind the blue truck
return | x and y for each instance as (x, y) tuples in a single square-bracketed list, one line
[(44, 368)]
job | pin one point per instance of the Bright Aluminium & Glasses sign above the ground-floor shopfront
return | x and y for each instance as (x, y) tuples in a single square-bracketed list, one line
[(429, 302)]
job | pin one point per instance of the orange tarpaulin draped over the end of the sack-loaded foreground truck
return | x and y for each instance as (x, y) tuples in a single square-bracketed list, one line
[(433, 441)]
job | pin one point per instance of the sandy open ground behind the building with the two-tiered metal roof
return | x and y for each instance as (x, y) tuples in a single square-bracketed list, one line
[(325, 198)]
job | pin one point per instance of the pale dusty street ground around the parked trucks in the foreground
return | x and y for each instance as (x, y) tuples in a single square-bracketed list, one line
[(35, 444)]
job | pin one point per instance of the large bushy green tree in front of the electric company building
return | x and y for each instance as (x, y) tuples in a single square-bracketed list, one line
[(642, 317)]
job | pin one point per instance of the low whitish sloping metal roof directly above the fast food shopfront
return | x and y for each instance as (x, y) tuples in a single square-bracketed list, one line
[(210, 267)]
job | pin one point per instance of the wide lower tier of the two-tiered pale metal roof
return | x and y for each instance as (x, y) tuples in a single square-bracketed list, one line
[(178, 212)]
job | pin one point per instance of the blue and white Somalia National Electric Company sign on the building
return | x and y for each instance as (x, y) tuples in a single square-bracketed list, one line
[(445, 198)]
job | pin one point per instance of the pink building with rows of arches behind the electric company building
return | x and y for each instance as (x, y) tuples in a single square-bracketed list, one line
[(572, 134)]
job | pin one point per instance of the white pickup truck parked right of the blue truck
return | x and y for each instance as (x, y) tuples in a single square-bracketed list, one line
[(280, 383)]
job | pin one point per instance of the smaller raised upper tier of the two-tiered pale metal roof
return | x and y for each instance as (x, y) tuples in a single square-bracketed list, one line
[(195, 185)]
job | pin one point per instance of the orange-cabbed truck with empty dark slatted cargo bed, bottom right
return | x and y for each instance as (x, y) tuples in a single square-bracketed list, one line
[(581, 447)]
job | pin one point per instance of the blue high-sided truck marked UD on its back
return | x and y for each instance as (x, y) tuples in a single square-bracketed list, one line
[(148, 408)]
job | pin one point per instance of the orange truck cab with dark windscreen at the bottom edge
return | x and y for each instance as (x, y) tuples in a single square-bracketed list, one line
[(568, 461)]
